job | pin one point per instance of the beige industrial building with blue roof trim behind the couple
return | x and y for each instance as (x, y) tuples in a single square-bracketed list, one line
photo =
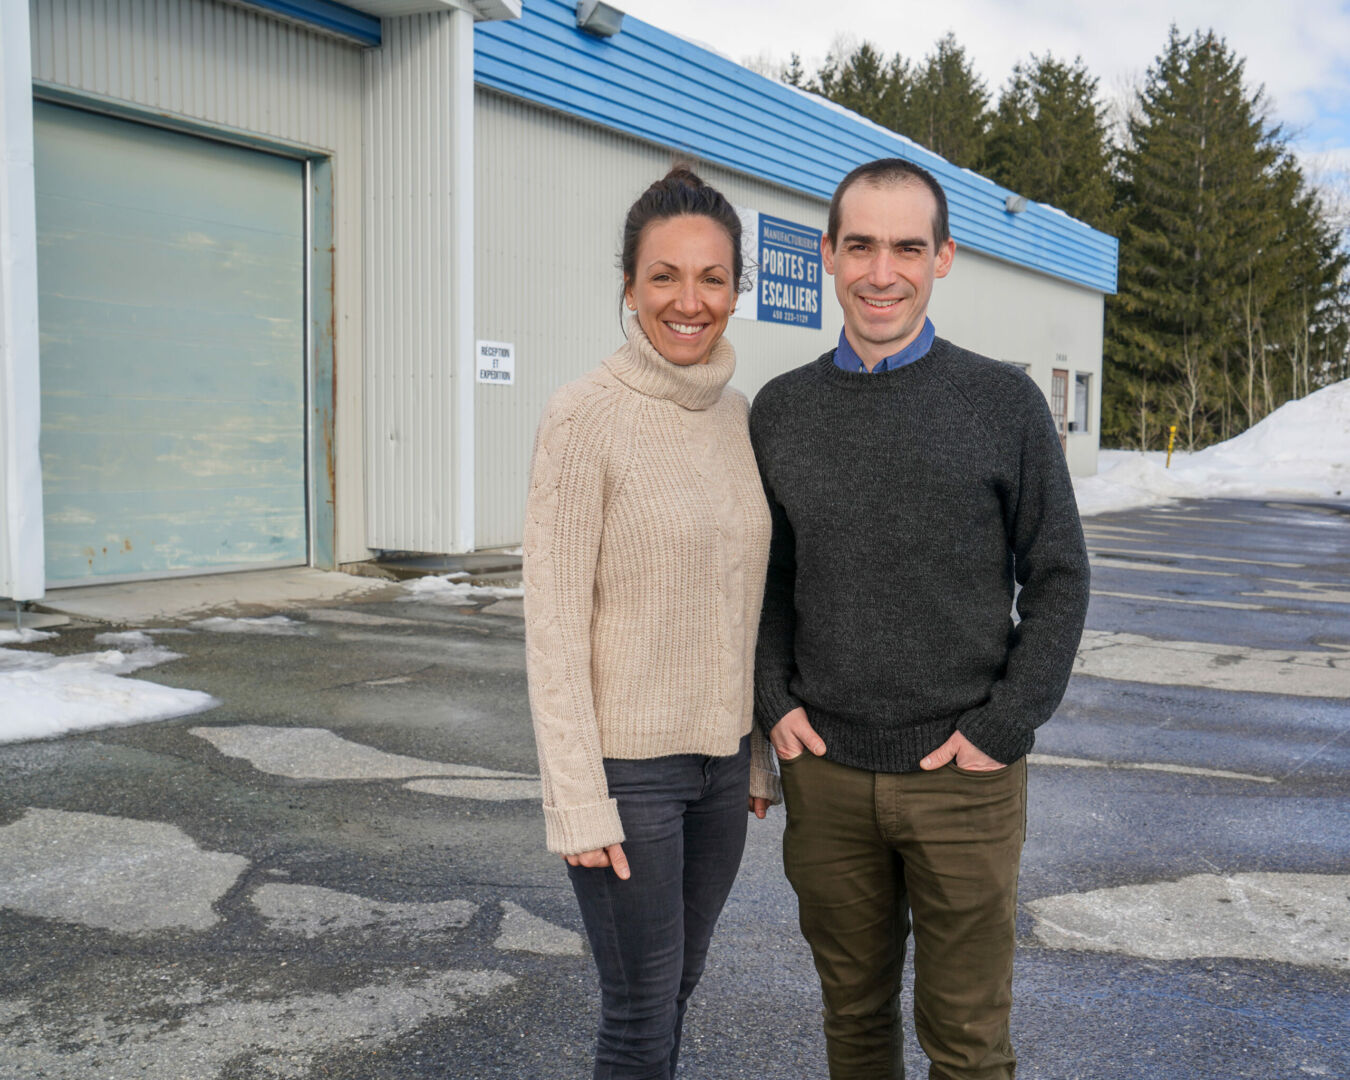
[(290, 283)]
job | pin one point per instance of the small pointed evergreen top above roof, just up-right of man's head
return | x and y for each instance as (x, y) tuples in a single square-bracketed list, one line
[(947, 106)]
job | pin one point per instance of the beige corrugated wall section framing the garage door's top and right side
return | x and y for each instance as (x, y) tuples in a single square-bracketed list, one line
[(234, 68)]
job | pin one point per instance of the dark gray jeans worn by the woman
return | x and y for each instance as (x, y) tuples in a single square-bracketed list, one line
[(685, 827)]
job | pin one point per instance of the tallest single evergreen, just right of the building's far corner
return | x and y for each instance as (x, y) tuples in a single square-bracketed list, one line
[(1195, 184)]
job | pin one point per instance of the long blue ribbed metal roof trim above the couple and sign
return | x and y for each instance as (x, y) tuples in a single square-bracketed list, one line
[(669, 91)]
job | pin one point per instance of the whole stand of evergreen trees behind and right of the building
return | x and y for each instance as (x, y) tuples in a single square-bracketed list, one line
[(1235, 276)]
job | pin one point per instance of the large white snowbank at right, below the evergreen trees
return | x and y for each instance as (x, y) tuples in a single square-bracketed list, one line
[(1301, 452)]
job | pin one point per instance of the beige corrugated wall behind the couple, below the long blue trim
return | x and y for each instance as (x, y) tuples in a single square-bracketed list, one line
[(553, 194)]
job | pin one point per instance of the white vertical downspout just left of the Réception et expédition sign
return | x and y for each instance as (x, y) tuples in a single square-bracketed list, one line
[(462, 275)]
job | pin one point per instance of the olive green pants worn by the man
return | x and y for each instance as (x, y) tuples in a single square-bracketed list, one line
[(866, 853)]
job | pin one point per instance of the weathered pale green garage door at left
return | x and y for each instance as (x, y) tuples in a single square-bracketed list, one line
[(171, 302)]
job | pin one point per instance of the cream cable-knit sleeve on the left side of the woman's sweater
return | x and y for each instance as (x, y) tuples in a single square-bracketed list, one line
[(564, 516)]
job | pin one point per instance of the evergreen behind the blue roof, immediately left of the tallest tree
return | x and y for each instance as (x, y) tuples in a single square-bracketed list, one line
[(1048, 140)]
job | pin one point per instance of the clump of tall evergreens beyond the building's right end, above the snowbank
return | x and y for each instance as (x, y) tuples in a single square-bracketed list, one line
[(1233, 281)]
